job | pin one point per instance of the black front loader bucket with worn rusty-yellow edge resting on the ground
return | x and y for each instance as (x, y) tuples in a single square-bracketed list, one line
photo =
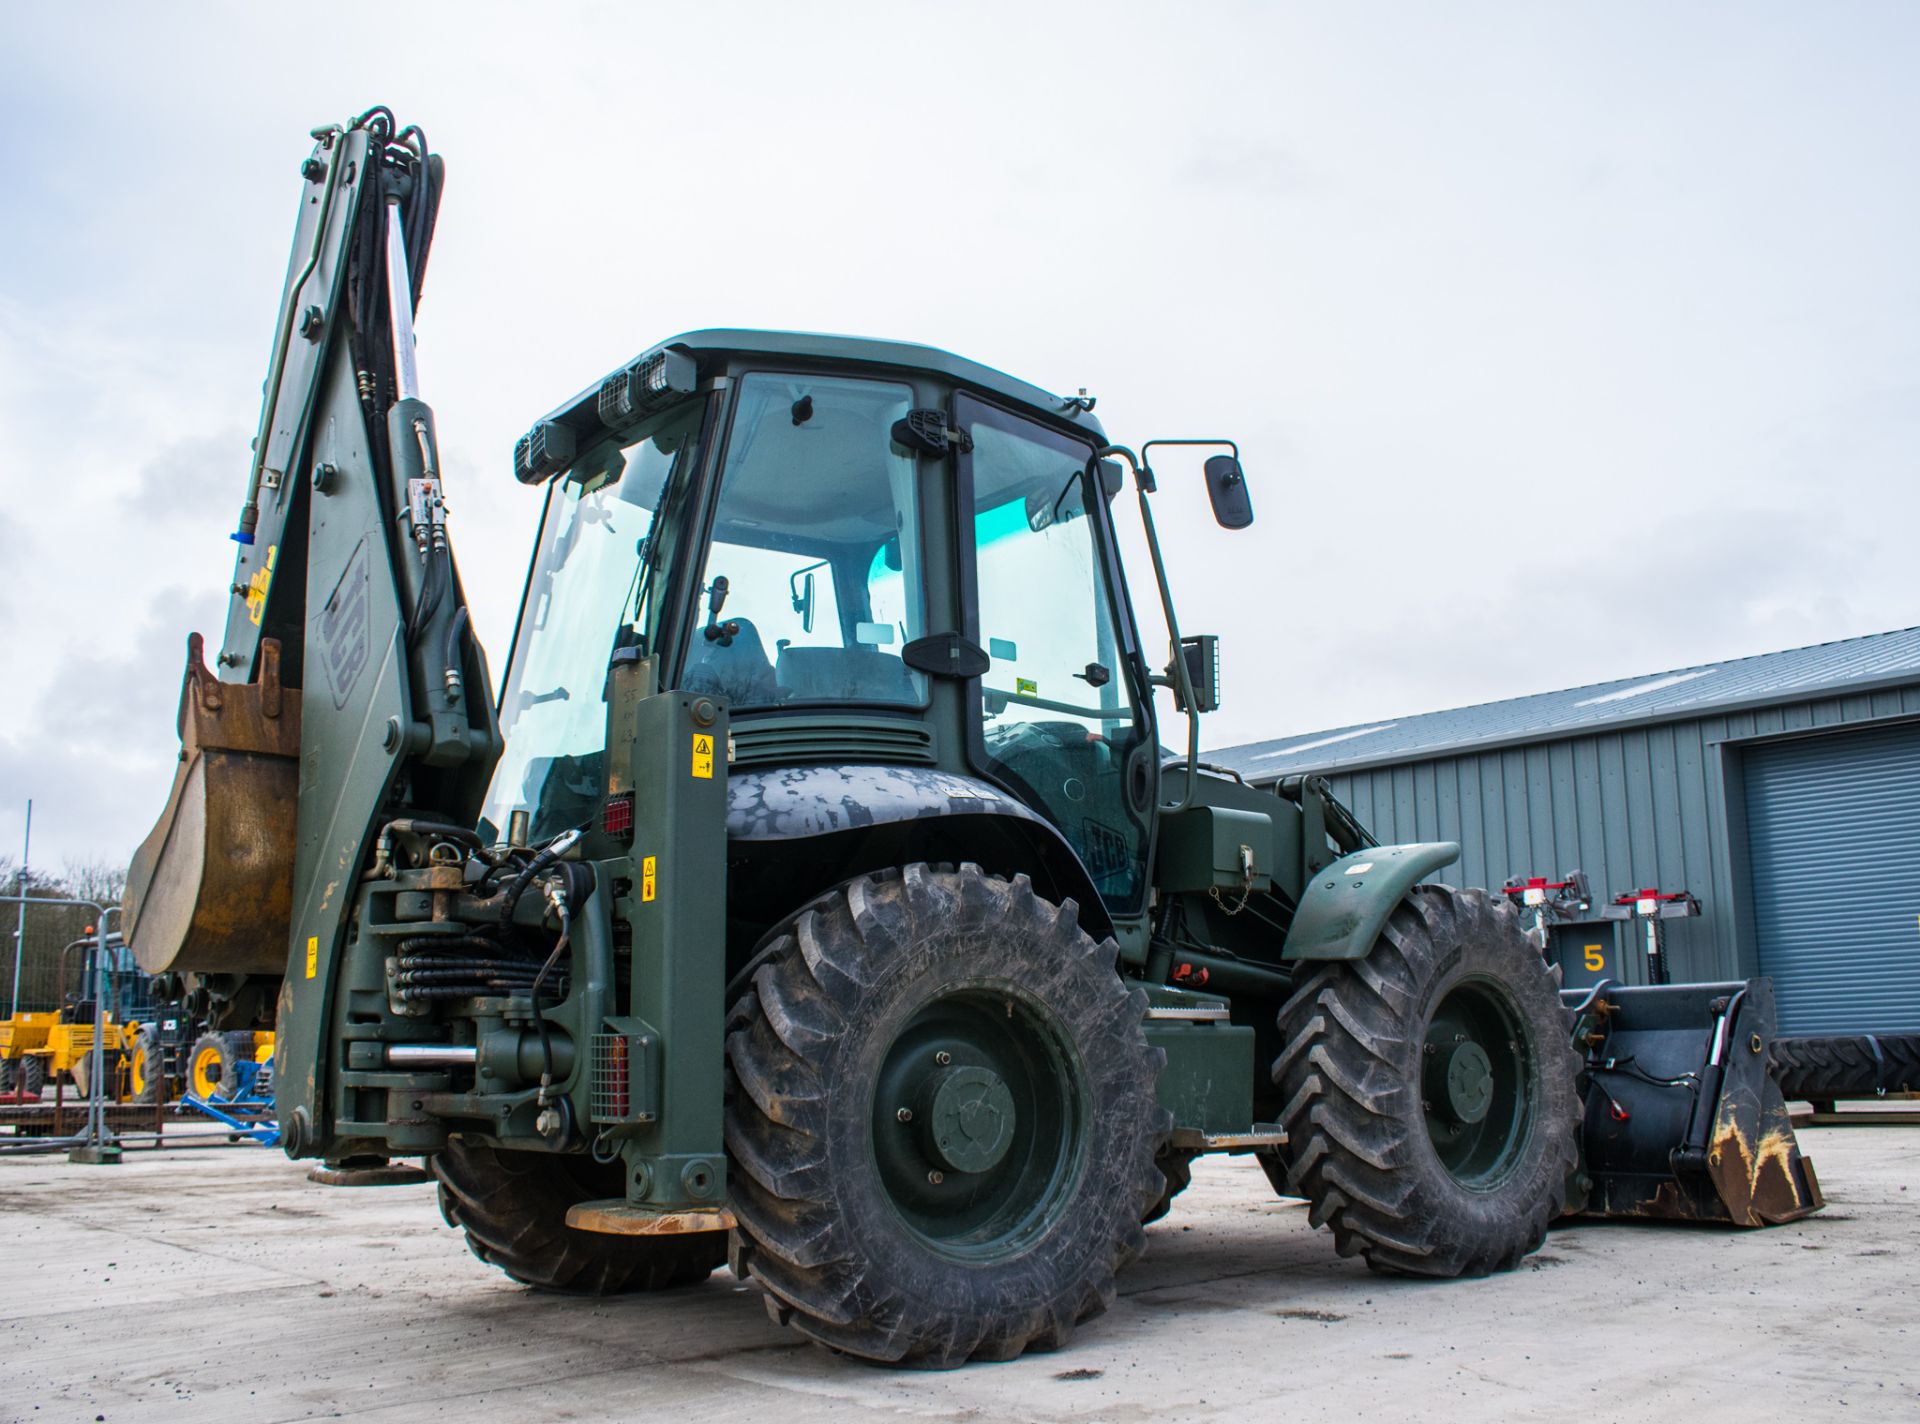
[(1683, 1120)]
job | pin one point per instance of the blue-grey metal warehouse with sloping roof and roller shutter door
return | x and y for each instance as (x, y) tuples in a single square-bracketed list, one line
[(1783, 792)]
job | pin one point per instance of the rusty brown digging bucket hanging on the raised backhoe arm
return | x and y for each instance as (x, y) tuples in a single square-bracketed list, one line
[(212, 888)]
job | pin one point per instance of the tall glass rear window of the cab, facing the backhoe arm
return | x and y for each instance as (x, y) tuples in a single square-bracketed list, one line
[(590, 592)]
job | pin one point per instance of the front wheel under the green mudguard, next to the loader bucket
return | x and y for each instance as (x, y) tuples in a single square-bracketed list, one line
[(1429, 1091)]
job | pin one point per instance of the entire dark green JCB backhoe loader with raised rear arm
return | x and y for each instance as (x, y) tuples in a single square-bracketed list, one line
[(819, 897)]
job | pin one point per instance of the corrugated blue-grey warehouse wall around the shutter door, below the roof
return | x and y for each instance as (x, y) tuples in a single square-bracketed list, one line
[(1633, 807)]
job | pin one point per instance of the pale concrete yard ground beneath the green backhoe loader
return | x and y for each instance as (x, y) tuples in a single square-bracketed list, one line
[(220, 1285)]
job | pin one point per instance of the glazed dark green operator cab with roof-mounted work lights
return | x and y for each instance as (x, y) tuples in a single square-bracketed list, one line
[(873, 554)]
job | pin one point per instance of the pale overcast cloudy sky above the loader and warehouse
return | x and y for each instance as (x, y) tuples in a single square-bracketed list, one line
[(1564, 343)]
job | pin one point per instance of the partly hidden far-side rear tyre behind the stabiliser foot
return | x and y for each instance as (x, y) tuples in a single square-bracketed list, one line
[(514, 1210)]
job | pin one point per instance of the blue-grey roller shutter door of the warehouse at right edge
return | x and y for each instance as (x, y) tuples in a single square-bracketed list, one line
[(1835, 855)]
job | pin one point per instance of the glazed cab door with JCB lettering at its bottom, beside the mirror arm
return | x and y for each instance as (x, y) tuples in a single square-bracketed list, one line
[(1059, 719)]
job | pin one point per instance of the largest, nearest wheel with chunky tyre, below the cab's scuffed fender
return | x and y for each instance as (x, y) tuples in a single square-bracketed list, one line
[(942, 1120)]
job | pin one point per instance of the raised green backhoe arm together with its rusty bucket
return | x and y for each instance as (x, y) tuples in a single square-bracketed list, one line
[(348, 680)]
